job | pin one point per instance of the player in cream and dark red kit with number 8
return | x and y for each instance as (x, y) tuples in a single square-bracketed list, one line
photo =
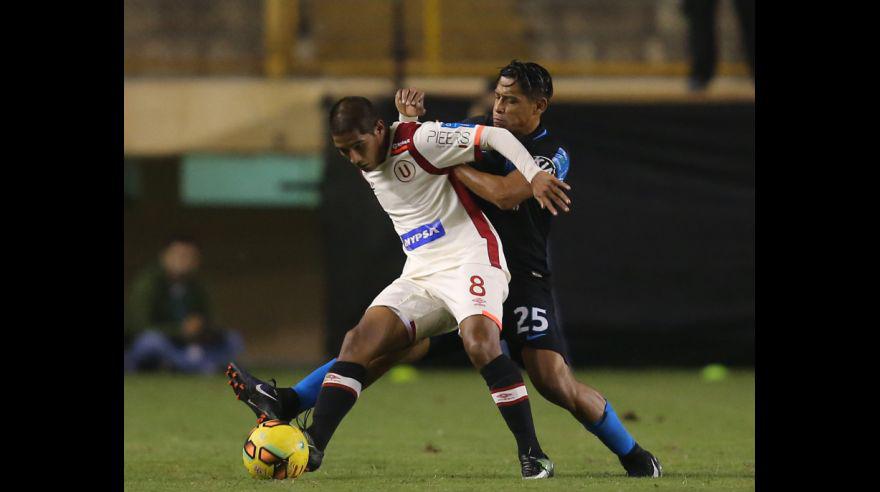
[(455, 272)]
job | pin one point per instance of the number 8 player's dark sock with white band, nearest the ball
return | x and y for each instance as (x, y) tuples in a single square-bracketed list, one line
[(339, 391)]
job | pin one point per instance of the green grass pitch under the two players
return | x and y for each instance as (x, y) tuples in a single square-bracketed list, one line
[(185, 433)]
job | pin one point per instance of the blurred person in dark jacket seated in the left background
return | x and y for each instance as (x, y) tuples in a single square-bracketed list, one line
[(169, 321)]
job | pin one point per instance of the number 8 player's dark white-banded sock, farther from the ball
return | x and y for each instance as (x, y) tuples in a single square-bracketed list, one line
[(509, 393)]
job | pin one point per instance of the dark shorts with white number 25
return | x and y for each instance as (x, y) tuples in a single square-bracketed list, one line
[(531, 318)]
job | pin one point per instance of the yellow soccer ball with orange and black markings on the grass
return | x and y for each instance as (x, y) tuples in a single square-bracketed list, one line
[(275, 450)]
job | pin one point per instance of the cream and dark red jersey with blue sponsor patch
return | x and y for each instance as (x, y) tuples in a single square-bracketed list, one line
[(439, 224)]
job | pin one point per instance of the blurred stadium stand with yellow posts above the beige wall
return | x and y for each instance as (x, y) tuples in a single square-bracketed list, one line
[(448, 37)]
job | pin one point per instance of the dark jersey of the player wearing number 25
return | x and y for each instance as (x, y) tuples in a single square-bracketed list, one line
[(525, 230)]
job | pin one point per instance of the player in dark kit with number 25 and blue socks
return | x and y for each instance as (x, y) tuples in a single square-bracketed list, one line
[(531, 331)]
